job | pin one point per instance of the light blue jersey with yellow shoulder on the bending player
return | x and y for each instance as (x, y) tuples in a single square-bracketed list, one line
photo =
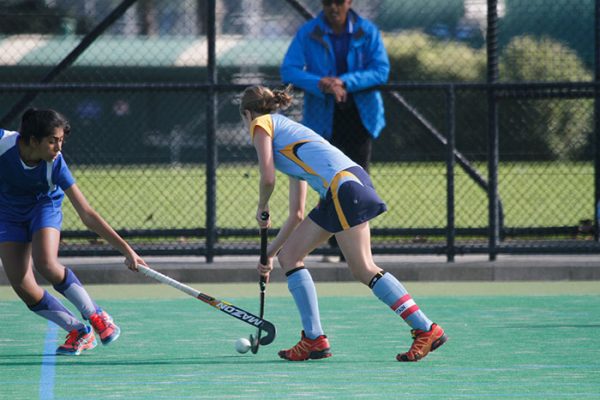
[(301, 153)]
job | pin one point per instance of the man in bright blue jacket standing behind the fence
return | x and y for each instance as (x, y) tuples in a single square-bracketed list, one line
[(338, 58)]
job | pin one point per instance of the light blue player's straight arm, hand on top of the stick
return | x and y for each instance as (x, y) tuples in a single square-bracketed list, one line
[(264, 150)]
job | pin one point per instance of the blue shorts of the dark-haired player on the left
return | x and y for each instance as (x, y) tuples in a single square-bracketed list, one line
[(43, 215)]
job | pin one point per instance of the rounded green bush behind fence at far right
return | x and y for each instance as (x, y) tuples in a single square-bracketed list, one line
[(551, 128)]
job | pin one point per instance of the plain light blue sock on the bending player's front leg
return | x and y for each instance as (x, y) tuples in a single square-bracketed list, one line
[(303, 290)]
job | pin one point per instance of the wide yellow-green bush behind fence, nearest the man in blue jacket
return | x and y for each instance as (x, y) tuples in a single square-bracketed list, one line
[(414, 57)]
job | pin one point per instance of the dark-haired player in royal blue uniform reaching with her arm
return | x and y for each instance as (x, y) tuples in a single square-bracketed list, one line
[(33, 181)]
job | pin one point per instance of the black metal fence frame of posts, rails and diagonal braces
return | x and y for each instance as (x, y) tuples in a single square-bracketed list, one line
[(496, 92)]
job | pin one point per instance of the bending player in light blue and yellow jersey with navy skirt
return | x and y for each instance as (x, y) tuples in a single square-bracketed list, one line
[(347, 202)]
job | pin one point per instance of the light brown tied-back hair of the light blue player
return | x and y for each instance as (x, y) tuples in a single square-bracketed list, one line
[(260, 100)]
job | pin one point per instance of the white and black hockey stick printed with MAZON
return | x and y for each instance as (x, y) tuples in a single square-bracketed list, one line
[(221, 305)]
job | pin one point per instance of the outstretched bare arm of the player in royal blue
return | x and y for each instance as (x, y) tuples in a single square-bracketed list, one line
[(96, 223)]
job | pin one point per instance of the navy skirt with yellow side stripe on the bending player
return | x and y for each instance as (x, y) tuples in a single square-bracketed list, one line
[(350, 201)]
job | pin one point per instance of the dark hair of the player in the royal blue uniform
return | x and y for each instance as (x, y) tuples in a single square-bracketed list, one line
[(42, 123)]
